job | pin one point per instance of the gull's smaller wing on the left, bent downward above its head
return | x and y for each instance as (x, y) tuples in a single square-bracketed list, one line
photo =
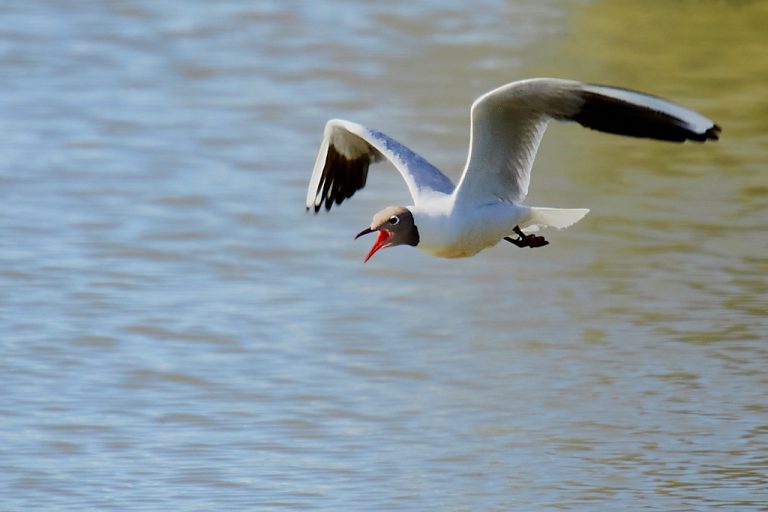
[(348, 149)]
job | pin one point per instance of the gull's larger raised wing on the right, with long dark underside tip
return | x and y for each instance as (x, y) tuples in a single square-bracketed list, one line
[(508, 123)]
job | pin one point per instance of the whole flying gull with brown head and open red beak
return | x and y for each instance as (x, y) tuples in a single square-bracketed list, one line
[(487, 205)]
